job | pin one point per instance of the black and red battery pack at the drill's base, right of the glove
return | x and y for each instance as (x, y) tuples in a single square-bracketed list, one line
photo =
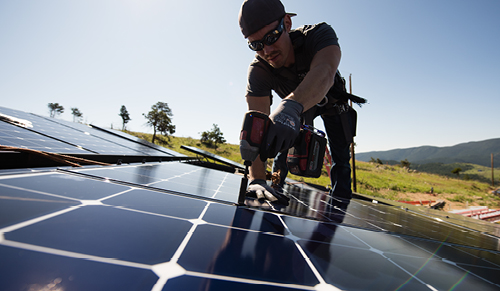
[(305, 158)]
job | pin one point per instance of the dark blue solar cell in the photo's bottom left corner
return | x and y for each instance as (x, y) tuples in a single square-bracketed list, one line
[(47, 269)]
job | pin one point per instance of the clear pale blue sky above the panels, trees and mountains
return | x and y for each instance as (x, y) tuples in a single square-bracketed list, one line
[(430, 69)]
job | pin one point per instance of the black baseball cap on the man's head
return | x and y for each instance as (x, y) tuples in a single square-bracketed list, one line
[(255, 14)]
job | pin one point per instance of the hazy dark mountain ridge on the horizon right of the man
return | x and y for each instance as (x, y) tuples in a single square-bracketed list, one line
[(477, 152)]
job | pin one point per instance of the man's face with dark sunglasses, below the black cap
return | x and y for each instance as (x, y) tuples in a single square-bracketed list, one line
[(280, 53)]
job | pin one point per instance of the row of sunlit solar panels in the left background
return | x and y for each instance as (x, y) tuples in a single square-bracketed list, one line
[(27, 130)]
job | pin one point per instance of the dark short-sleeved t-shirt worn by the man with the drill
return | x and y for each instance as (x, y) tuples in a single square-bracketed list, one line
[(307, 41)]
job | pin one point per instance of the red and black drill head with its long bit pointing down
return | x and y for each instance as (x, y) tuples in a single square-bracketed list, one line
[(252, 143)]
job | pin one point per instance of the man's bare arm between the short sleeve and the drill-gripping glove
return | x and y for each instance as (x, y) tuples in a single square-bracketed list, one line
[(319, 79)]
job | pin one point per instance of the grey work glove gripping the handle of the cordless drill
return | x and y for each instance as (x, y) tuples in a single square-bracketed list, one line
[(284, 127)]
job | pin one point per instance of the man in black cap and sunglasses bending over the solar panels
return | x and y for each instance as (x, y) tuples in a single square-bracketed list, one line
[(300, 66)]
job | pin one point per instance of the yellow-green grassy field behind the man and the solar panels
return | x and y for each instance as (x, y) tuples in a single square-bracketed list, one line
[(384, 181)]
